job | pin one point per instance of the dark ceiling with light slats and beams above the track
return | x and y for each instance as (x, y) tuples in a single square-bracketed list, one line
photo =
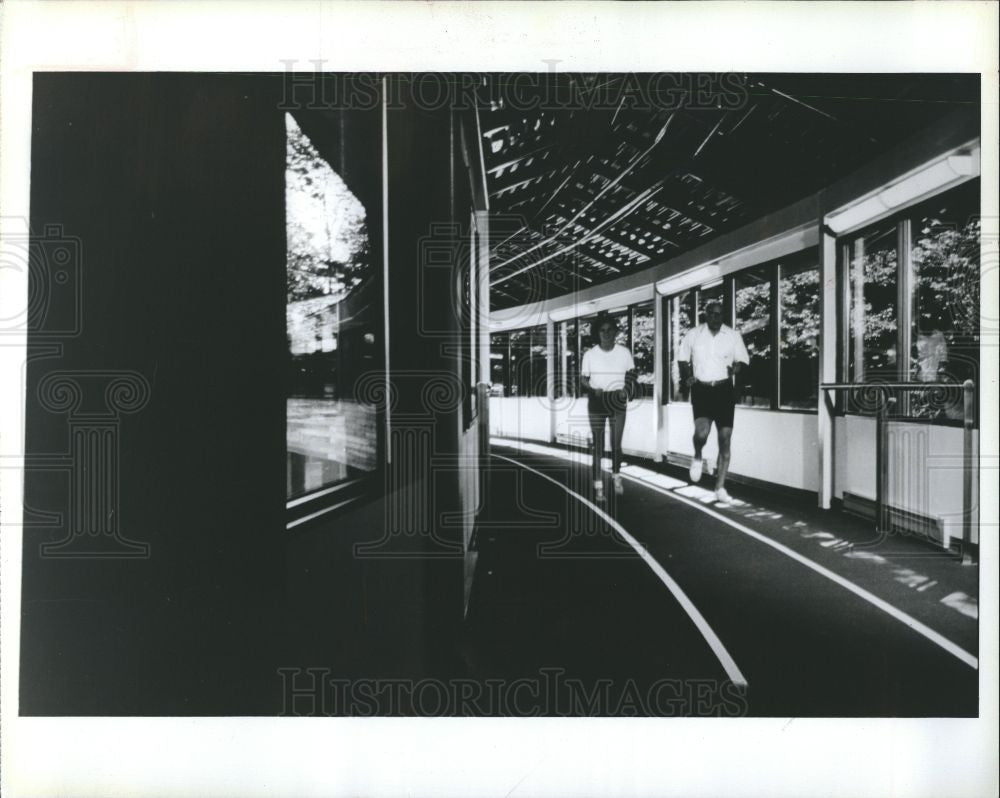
[(592, 177)]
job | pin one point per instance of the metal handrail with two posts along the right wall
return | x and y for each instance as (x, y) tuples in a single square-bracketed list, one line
[(881, 390)]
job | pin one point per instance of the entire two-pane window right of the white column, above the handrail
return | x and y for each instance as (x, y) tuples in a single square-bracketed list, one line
[(914, 317)]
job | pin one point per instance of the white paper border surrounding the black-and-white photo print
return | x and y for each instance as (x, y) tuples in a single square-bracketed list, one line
[(466, 757)]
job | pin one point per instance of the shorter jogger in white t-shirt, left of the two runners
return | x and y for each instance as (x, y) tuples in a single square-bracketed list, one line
[(606, 372)]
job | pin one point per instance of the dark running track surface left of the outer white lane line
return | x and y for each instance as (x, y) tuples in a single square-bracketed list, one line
[(559, 590)]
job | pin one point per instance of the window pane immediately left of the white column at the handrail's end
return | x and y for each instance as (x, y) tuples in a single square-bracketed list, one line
[(798, 291)]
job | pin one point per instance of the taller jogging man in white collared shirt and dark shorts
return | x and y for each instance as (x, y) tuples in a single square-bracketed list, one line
[(710, 356)]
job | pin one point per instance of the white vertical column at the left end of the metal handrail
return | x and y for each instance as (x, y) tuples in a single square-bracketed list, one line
[(827, 365)]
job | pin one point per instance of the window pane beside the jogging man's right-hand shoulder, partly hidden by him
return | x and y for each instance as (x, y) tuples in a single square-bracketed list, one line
[(753, 320)]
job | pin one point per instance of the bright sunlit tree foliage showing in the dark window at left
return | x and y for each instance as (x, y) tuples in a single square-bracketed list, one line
[(327, 237)]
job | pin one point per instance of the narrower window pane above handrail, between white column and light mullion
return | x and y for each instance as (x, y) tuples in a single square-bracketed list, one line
[(873, 285)]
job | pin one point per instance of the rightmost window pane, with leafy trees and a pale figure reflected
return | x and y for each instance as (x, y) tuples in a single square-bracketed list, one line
[(945, 324)]
